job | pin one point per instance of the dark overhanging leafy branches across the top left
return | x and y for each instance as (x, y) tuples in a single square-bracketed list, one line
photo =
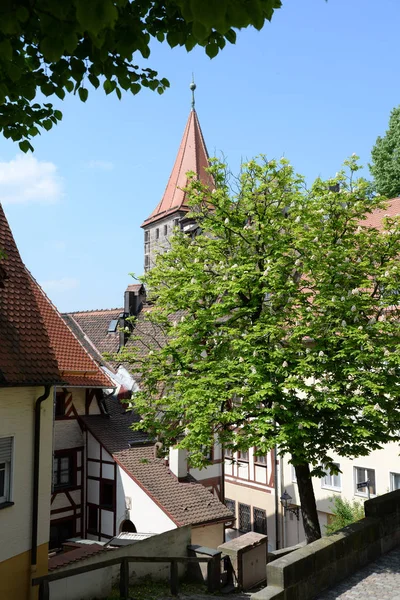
[(60, 46)]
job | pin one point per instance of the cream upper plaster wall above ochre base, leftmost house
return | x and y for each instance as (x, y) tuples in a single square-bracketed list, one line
[(17, 419)]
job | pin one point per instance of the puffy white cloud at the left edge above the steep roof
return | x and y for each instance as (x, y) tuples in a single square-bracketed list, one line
[(27, 180)]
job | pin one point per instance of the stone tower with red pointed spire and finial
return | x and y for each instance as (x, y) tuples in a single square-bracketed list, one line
[(192, 156)]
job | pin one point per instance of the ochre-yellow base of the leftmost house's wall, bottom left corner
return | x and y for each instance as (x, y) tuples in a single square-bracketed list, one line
[(15, 575)]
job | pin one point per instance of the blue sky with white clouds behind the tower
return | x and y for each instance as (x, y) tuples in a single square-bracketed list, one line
[(316, 85)]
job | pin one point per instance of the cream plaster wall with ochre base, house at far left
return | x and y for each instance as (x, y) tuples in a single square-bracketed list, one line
[(17, 420)]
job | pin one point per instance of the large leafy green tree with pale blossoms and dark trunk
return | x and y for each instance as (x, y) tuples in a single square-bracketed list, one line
[(280, 324)]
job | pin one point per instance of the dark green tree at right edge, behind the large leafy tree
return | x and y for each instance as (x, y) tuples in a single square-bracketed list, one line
[(385, 154)]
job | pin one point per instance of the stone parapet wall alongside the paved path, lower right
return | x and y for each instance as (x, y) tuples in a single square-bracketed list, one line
[(306, 572)]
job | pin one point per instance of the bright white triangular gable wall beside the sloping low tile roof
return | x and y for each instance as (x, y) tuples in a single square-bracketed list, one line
[(145, 514)]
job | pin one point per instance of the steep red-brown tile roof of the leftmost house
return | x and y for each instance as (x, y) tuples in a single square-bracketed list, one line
[(36, 346)]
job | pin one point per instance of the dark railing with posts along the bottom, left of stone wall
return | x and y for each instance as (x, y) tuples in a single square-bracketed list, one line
[(213, 570)]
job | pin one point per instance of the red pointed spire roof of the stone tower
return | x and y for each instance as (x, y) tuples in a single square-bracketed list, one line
[(192, 156)]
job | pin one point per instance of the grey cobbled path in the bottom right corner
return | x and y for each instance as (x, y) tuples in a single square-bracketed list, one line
[(379, 580)]
